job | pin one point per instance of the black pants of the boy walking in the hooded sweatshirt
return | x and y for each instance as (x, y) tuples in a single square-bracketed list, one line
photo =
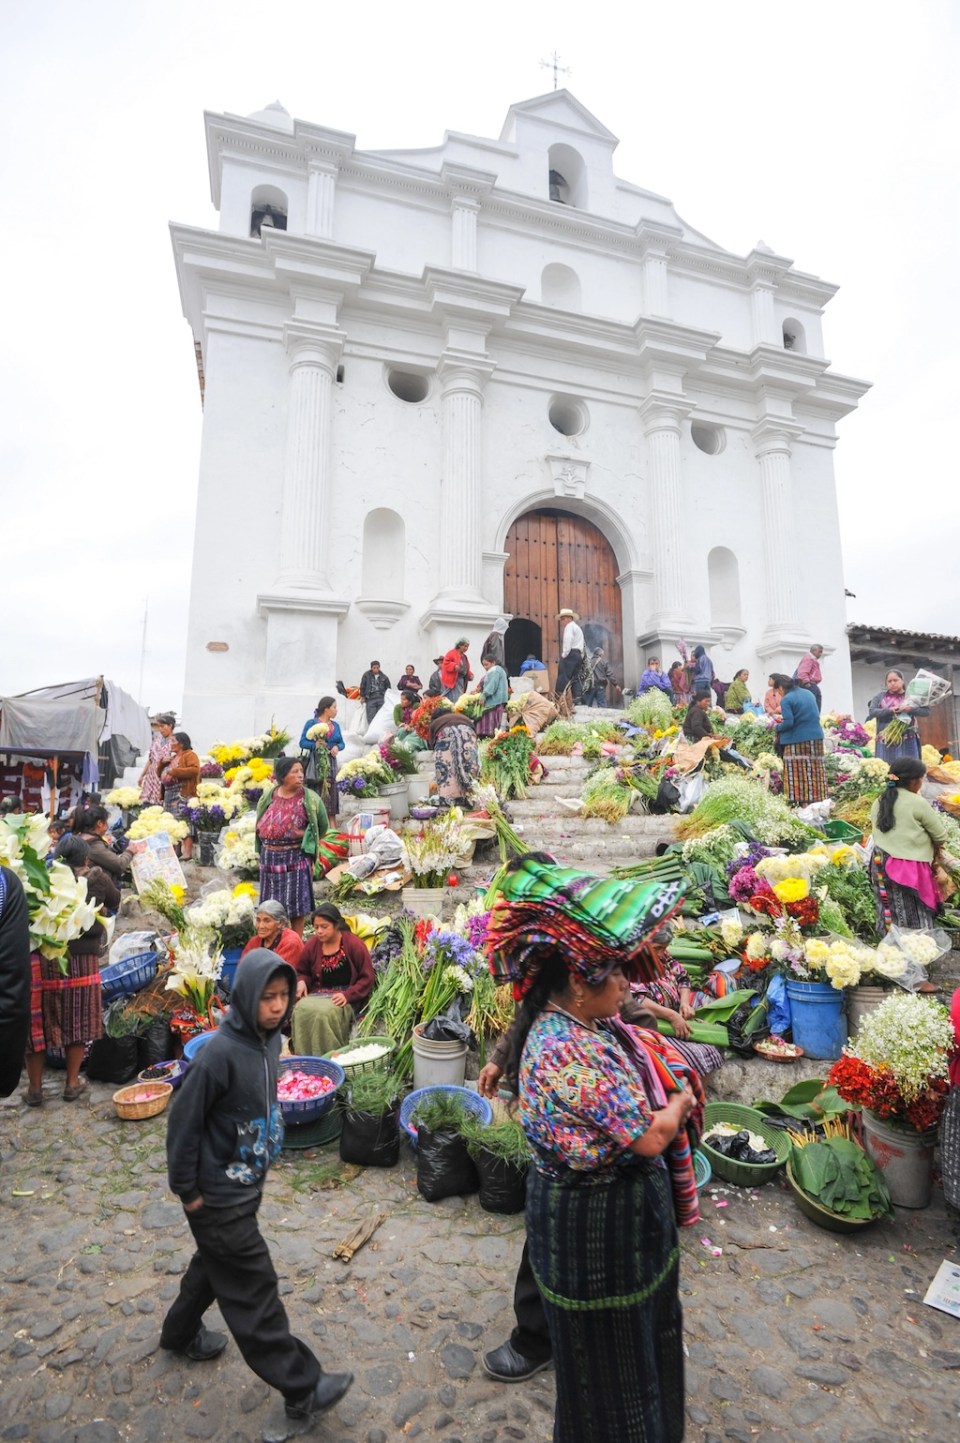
[(233, 1268)]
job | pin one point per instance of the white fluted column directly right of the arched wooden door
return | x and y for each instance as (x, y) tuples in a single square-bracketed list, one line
[(662, 429)]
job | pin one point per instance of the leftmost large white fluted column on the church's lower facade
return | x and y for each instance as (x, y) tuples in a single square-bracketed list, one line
[(307, 473)]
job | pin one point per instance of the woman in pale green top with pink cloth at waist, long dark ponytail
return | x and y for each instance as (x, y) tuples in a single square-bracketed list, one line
[(907, 833)]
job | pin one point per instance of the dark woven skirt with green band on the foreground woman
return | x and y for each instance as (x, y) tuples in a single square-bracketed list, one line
[(607, 1265)]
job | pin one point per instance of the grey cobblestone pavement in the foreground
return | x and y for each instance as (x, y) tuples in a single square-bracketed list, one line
[(792, 1333)]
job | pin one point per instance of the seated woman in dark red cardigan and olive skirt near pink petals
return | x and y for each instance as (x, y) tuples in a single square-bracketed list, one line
[(336, 979)]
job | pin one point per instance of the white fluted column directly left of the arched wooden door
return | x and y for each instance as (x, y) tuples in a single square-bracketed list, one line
[(463, 412)]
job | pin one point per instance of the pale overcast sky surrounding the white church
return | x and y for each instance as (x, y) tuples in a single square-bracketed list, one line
[(831, 131)]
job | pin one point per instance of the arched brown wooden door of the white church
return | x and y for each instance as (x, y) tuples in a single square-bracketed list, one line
[(558, 559)]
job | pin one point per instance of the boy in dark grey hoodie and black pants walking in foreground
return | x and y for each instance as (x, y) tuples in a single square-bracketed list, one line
[(224, 1132)]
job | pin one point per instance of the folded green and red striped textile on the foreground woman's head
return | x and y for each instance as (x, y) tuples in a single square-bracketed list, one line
[(595, 923)]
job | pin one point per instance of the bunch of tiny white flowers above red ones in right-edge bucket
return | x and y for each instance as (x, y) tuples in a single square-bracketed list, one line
[(912, 1037)]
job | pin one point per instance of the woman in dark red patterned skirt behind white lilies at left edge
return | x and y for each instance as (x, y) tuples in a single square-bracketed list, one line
[(66, 1008)]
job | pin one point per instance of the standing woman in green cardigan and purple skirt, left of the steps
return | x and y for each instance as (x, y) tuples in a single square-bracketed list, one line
[(291, 823)]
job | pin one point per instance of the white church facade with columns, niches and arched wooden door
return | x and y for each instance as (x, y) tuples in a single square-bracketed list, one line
[(493, 377)]
